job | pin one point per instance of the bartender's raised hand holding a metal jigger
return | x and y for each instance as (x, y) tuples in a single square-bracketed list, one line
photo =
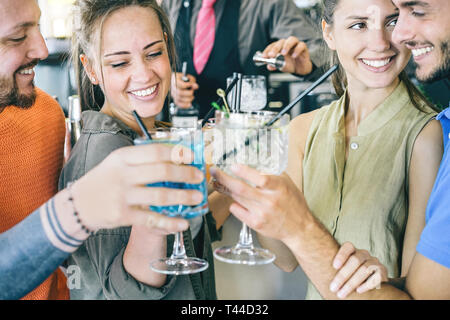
[(296, 55)]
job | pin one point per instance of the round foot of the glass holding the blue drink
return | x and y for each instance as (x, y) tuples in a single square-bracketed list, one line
[(174, 266)]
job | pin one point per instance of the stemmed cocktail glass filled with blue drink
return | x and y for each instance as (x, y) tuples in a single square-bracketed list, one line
[(178, 263)]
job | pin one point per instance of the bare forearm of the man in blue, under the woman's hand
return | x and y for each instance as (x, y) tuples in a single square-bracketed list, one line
[(315, 249)]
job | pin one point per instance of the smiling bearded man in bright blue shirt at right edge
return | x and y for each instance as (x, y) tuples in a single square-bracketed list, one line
[(424, 29)]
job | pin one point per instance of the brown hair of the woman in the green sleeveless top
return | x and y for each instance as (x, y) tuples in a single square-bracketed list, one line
[(339, 78)]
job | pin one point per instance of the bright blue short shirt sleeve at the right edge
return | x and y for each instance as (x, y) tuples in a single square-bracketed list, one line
[(435, 239)]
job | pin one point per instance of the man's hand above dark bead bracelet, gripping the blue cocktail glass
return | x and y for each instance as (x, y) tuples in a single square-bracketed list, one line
[(115, 193)]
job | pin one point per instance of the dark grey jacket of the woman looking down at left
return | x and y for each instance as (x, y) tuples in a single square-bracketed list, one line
[(99, 259)]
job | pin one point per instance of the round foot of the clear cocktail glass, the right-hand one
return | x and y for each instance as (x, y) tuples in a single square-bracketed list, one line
[(244, 255)]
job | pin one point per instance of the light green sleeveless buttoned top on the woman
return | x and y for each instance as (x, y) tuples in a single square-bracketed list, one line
[(363, 200)]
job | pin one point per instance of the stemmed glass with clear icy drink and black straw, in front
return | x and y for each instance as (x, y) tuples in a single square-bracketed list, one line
[(242, 138)]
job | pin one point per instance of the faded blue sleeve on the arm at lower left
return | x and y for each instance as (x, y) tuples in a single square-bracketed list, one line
[(27, 257)]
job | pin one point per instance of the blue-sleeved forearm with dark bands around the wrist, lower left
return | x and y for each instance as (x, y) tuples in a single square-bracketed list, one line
[(36, 247)]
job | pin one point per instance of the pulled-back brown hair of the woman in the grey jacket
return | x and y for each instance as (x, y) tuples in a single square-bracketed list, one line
[(88, 20)]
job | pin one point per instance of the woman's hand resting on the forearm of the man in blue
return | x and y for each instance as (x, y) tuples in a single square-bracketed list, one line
[(358, 270)]
